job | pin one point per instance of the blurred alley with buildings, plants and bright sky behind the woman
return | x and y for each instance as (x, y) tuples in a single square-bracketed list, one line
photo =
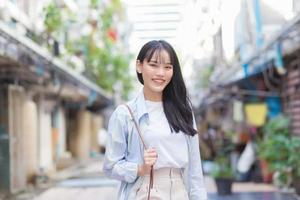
[(66, 64)]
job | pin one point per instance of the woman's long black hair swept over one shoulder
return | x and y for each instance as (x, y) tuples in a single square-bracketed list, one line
[(176, 103)]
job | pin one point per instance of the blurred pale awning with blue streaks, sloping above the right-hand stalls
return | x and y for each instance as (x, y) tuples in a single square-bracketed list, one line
[(281, 44)]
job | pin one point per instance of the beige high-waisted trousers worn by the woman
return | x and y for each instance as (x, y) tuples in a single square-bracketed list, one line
[(167, 185)]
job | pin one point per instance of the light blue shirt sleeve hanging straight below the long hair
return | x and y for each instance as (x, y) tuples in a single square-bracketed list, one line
[(197, 190)]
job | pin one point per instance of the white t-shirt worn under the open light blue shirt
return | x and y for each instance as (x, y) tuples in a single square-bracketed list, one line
[(171, 147)]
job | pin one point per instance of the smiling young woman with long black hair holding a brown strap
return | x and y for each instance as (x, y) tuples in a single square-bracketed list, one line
[(164, 115)]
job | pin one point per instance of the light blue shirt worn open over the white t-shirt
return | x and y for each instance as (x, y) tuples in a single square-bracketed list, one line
[(124, 151)]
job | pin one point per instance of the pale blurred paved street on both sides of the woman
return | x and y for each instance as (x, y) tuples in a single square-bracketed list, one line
[(87, 182)]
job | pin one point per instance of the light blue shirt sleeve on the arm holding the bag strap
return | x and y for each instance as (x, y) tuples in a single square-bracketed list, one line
[(115, 165)]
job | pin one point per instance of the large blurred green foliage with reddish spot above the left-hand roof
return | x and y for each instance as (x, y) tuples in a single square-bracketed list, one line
[(101, 47)]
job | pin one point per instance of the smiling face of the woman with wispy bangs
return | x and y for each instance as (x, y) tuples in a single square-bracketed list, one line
[(157, 73)]
